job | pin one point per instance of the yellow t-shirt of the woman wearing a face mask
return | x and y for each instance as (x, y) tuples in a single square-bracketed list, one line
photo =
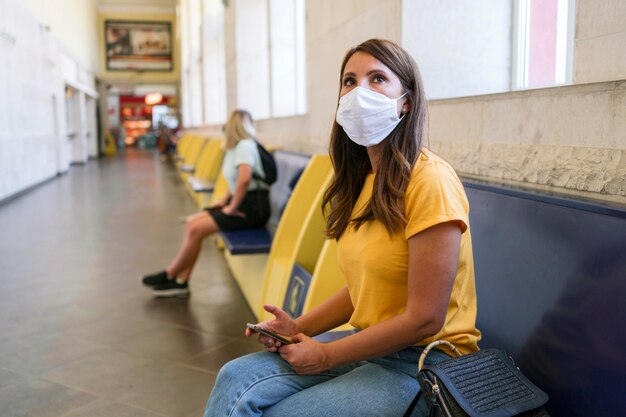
[(376, 264)]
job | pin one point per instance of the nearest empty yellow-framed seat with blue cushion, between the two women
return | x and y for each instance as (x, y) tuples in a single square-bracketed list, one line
[(277, 266)]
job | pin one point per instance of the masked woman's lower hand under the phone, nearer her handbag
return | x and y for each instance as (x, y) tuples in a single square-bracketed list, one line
[(305, 355)]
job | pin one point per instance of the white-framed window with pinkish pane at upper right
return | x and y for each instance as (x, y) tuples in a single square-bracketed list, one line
[(543, 43)]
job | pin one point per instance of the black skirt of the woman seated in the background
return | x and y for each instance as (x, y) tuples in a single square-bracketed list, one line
[(256, 207)]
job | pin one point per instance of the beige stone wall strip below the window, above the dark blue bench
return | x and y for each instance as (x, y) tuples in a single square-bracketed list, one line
[(572, 137)]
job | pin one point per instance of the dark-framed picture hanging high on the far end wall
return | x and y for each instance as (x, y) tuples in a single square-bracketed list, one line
[(138, 46)]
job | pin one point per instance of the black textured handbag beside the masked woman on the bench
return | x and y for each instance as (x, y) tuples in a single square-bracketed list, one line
[(482, 384)]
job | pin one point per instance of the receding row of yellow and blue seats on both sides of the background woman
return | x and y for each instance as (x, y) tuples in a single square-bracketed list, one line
[(288, 262)]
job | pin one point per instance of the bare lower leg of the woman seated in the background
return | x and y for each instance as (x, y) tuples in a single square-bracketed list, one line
[(197, 227)]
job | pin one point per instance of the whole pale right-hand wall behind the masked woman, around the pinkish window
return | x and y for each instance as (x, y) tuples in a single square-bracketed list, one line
[(563, 138)]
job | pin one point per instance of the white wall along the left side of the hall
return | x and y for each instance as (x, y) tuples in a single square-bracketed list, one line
[(34, 72)]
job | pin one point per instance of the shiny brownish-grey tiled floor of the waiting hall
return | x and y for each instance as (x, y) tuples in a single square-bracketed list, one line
[(79, 335)]
